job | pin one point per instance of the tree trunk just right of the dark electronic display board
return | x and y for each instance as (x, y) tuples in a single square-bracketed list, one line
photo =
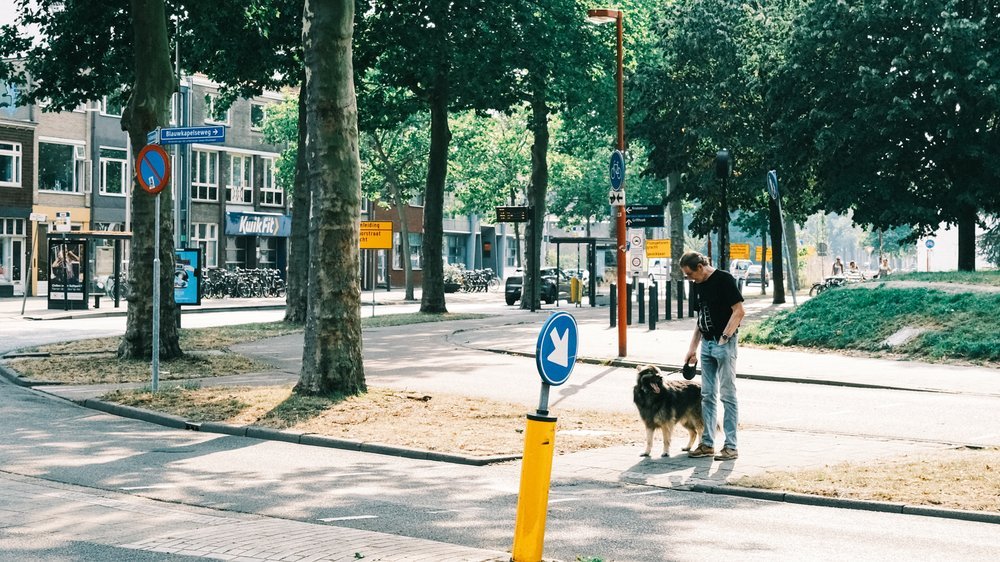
[(536, 198)]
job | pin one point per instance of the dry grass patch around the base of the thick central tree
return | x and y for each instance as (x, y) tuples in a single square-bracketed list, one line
[(436, 422)]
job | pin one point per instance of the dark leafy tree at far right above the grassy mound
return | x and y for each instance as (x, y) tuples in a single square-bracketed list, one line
[(896, 110)]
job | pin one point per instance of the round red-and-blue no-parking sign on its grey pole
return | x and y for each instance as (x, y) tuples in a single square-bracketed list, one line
[(153, 174)]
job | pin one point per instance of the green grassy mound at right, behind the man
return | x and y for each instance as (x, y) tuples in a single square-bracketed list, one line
[(959, 325)]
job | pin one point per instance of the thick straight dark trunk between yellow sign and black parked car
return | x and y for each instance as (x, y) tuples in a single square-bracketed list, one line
[(432, 297)]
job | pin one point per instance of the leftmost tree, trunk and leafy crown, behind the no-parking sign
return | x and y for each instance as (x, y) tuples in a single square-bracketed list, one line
[(66, 54)]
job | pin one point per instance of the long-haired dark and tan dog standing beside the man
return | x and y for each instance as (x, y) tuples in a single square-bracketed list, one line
[(665, 404)]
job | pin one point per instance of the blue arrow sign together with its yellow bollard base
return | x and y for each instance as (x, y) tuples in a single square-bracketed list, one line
[(555, 356)]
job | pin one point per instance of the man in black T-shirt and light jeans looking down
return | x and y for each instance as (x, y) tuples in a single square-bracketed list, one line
[(720, 310)]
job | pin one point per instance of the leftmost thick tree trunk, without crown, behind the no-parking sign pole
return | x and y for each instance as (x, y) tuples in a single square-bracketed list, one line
[(147, 108)]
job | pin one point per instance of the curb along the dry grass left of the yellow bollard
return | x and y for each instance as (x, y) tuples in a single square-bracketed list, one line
[(270, 434)]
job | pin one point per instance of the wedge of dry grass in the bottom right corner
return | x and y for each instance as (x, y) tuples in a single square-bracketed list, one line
[(958, 479)]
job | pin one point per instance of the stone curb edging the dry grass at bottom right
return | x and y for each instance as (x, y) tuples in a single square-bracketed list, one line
[(844, 503)]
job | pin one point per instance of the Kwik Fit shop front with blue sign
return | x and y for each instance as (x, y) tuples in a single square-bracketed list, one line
[(257, 241)]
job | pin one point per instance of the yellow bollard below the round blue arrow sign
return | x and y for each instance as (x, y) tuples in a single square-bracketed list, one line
[(533, 497)]
